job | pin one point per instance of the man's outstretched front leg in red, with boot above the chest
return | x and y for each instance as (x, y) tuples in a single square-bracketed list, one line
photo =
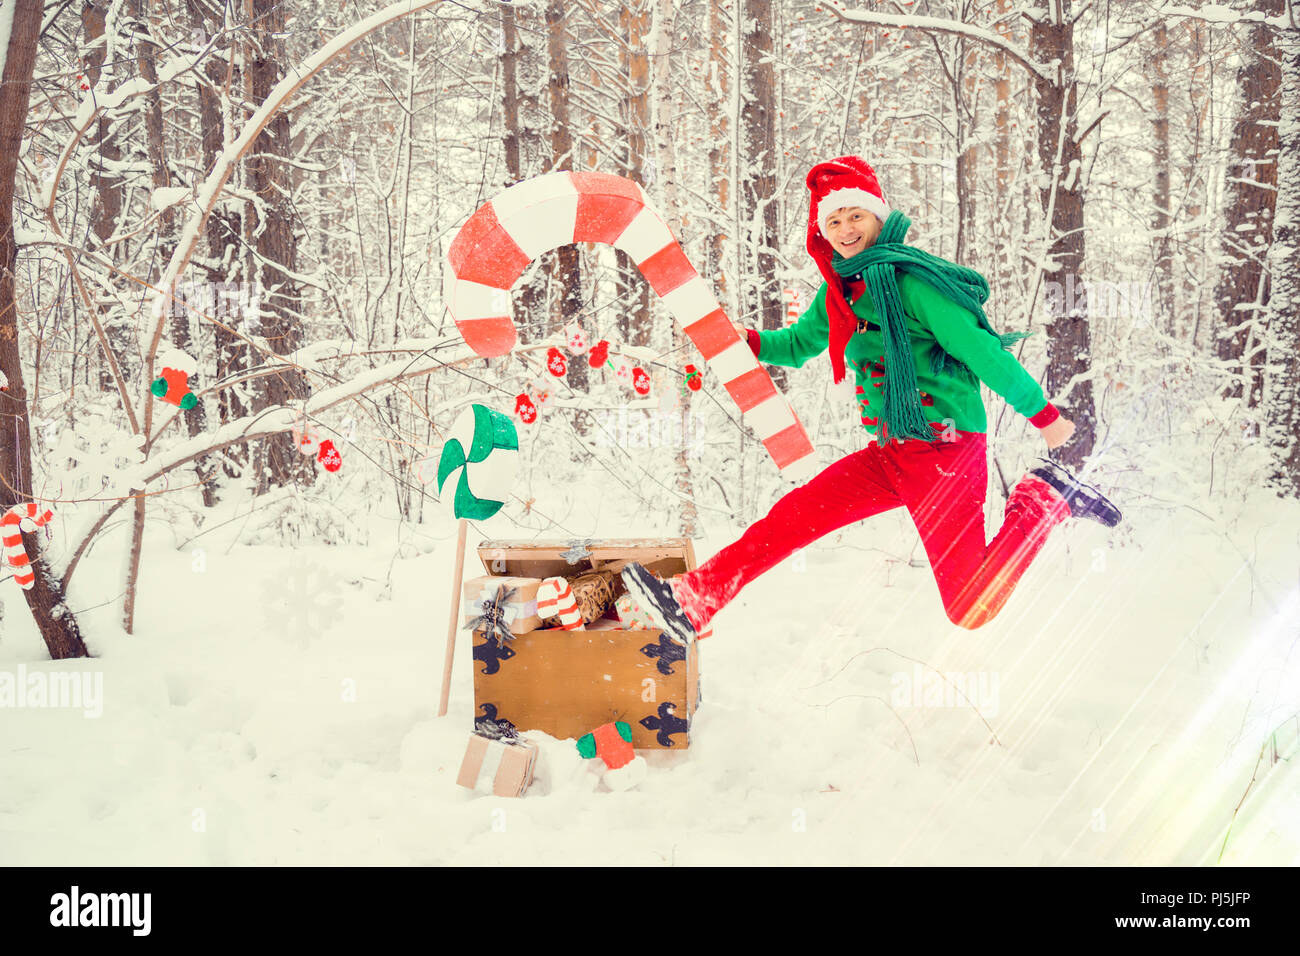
[(848, 491)]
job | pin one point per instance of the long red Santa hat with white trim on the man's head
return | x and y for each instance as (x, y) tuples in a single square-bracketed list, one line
[(842, 183)]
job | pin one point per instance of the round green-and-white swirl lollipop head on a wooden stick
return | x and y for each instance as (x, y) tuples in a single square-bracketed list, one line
[(480, 462)]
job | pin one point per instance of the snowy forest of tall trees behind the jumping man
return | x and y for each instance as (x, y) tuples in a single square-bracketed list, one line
[(263, 194)]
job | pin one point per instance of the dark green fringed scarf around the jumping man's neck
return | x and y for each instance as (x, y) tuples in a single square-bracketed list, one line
[(879, 266)]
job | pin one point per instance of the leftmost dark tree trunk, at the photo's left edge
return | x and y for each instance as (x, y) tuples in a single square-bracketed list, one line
[(54, 620)]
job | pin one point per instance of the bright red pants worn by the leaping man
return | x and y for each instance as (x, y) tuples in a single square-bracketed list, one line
[(941, 483)]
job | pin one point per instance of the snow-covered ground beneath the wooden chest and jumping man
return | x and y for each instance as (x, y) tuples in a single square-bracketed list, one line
[(276, 706)]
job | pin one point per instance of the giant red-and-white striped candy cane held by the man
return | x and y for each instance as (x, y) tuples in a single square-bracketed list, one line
[(497, 244)]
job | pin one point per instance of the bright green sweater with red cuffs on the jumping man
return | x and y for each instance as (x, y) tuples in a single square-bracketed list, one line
[(950, 400)]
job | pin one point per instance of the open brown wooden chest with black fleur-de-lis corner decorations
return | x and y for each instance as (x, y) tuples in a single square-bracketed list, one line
[(567, 684)]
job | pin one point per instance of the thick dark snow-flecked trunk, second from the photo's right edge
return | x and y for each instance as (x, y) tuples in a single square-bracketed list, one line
[(1242, 292)]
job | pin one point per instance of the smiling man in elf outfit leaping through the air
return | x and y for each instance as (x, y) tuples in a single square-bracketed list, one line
[(913, 328)]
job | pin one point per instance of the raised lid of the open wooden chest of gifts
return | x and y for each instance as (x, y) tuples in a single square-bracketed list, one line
[(665, 557)]
